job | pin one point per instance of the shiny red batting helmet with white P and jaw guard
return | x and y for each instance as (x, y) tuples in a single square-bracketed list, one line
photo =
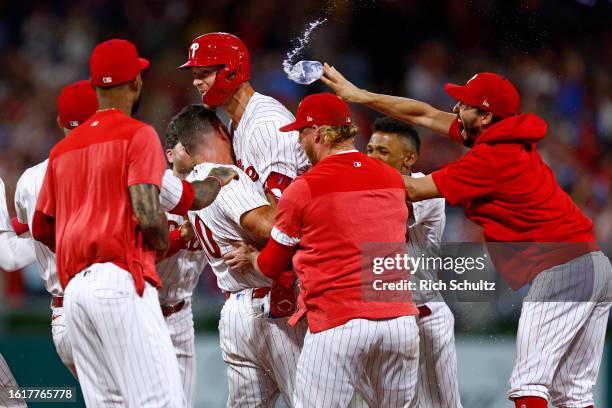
[(220, 49)]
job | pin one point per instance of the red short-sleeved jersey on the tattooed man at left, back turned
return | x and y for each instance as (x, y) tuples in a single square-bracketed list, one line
[(86, 191)]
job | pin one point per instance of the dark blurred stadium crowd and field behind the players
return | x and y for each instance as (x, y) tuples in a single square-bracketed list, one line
[(558, 53)]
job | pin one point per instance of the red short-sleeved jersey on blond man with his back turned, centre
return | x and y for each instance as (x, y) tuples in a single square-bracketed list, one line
[(343, 202)]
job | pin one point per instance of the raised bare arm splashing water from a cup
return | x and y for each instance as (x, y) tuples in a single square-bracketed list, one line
[(404, 109)]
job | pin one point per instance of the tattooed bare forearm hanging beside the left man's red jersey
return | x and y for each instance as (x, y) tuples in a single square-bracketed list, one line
[(150, 216)]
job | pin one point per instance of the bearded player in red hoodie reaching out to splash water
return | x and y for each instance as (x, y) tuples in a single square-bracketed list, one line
[(505, 187)]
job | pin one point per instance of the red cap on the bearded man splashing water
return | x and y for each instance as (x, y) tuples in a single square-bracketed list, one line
[(490, 92)]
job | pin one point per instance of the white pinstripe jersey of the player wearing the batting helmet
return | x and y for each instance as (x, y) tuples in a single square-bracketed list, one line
[(259, 146)]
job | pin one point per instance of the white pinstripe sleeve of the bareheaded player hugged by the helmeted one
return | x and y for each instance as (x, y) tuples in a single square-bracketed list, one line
[(240, 196)]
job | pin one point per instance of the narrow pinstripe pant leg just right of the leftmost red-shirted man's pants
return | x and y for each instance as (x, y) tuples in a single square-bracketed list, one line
[(180, 325)]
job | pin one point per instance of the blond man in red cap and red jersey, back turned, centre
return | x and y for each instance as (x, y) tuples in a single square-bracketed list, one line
[(322, 220)]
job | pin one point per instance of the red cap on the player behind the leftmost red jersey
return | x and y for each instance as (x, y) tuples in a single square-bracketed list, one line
[(76, 103)]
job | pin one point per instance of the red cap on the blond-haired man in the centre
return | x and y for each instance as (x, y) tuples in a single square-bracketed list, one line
[(324, 109)]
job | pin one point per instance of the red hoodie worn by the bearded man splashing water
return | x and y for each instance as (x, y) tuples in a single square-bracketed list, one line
[(504, 186)]
